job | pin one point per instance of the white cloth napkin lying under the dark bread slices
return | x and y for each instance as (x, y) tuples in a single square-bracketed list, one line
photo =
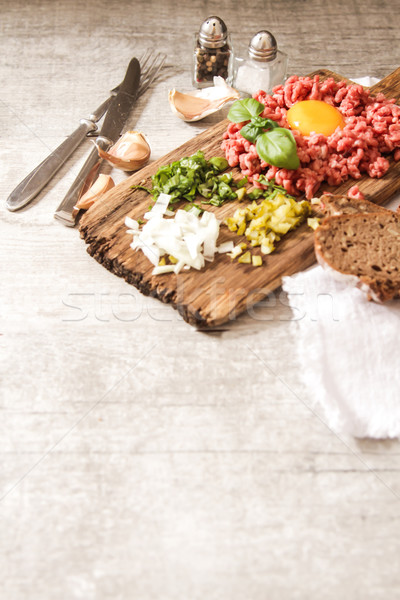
[(347, 349)]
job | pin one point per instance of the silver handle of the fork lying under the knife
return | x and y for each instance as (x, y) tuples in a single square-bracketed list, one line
[(37, 179)]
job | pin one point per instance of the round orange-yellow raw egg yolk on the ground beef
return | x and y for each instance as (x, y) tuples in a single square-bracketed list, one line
[(310, 116)]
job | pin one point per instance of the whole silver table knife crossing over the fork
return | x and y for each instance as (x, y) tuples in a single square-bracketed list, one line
[(114, 121)]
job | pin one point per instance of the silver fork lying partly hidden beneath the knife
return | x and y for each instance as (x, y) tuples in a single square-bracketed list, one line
[(29, 188)]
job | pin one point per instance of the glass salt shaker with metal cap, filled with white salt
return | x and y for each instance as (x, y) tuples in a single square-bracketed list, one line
[(265, 66)]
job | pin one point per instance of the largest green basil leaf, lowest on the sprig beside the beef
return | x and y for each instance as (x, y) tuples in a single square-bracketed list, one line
[(278, 148)]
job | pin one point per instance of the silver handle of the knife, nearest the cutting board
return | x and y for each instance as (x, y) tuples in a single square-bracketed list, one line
[(65, 212)]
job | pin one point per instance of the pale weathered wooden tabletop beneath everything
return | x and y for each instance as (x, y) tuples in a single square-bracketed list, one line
[(141, 459)]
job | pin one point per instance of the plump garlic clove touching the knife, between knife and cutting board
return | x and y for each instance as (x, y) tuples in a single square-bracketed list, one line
[(129, 153)]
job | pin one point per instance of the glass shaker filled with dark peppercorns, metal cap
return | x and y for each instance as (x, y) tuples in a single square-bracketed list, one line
[(212, 53)]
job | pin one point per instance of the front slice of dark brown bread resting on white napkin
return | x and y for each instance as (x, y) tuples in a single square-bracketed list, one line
[(364, 249)]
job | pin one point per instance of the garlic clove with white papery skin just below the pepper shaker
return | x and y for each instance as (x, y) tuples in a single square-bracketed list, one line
[(201, 103)]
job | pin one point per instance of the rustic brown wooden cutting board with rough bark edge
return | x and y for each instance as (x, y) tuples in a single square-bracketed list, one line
[(224, 288)]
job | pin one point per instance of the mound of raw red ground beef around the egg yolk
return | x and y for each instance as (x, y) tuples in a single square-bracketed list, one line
[(372, 128)]
